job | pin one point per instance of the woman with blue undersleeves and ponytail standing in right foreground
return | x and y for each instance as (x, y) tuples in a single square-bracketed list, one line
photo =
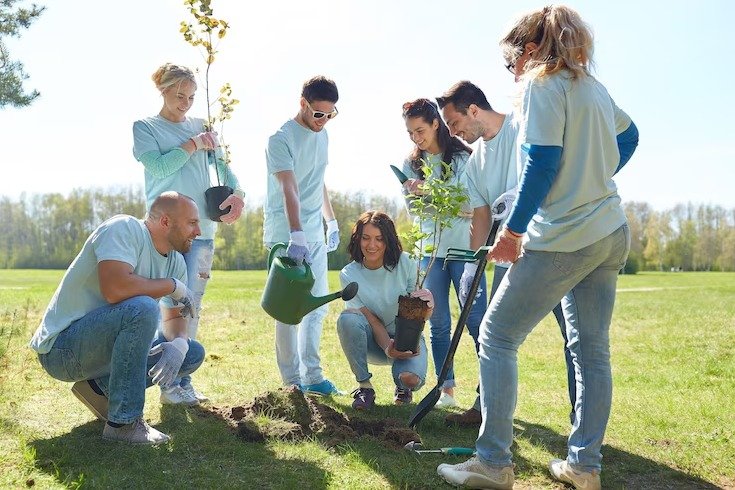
[(573, 139)]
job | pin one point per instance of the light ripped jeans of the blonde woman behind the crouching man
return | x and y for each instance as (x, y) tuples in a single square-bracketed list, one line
[(198, 271)]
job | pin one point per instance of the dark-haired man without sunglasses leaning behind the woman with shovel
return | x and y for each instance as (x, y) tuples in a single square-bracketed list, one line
[(492, 175)]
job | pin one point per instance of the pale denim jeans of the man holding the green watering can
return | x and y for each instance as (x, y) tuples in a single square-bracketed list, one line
[(297, 346)]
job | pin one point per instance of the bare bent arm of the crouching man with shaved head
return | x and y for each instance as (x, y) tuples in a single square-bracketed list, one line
[(118, 282)]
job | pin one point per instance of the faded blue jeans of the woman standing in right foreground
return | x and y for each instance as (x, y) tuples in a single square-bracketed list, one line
[(585, 282)]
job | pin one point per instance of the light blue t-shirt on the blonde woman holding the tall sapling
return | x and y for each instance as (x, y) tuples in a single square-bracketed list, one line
[(160, 136)]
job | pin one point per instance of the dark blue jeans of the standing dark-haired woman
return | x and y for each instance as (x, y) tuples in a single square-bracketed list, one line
[(440, 277)]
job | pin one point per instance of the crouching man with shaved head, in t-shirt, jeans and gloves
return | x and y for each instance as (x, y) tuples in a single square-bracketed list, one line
[(101, 328)]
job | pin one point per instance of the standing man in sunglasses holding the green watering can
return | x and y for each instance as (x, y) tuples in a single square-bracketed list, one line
[(295, 204)]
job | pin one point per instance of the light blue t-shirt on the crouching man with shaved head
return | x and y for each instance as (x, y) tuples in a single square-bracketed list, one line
[(122, 238)]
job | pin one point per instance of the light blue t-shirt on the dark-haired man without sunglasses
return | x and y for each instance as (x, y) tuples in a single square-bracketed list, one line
[(492, 168)]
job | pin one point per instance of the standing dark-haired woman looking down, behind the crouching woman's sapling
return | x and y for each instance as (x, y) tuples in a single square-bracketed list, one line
[(434, 145)]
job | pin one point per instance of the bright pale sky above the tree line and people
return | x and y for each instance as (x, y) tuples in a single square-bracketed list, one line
[(665, 63)]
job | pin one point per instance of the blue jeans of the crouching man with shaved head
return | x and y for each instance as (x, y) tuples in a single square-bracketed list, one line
[(110, 345)]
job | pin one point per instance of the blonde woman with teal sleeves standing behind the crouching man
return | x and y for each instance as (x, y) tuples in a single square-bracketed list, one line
[(176, 152)]
